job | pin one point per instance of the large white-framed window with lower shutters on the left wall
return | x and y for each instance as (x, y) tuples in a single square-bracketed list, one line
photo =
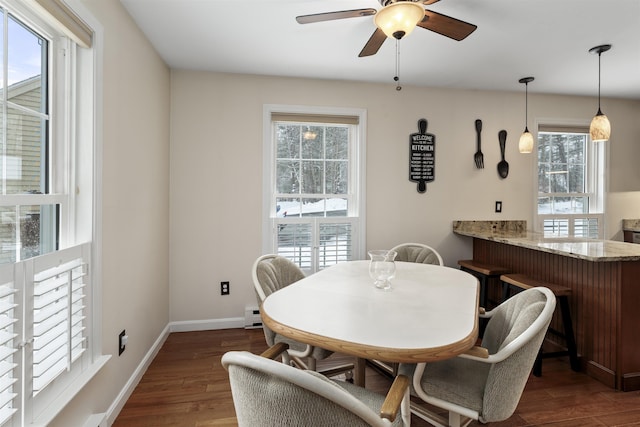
[(47, 320)]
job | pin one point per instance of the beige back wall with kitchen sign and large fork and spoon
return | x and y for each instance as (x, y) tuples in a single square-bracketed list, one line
[(216, 170)]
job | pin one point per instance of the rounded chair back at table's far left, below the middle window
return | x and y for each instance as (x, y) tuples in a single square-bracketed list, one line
[(272, 272)]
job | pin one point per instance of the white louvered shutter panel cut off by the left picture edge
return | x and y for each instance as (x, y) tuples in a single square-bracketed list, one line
[(8, 344)]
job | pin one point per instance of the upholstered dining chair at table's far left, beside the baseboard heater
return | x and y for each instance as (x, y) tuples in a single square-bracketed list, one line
[(273, 272)]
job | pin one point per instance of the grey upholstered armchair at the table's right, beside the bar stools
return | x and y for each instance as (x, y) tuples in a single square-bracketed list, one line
[(486, 383)]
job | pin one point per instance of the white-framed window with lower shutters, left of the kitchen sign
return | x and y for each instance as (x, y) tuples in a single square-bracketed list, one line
[(313, 178)]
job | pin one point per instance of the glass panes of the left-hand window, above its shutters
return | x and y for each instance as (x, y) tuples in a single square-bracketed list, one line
[(28, 229)]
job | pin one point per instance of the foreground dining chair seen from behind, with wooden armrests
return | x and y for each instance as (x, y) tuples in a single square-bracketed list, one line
[(271, 394)]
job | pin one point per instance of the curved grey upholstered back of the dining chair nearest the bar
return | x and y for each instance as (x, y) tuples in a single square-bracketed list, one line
[(513, 337)]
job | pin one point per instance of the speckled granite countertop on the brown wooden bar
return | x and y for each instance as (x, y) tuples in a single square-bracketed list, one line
[(515, 233)]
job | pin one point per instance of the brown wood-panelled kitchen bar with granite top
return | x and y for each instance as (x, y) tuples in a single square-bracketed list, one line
[(603, 276)]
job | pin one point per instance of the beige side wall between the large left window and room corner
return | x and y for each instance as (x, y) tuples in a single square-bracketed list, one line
[(135, 217)]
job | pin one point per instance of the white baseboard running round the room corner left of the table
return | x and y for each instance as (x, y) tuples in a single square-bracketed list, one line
[(182, 326)]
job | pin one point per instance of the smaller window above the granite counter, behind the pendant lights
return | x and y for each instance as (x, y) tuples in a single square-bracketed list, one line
[(570, 183)]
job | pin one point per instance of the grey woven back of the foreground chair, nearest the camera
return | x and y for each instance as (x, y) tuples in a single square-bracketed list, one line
[(271, 394)]
